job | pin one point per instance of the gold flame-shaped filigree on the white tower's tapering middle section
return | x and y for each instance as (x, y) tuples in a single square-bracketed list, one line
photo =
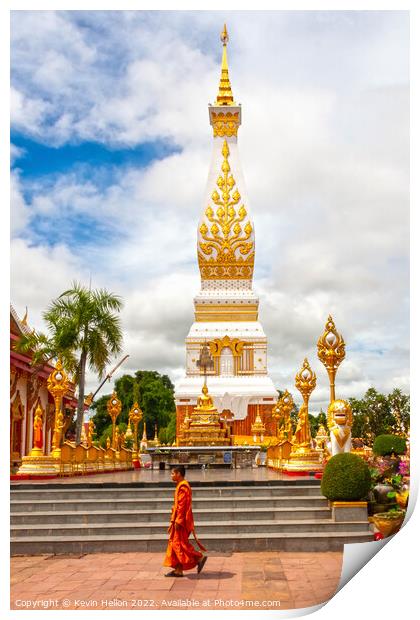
[(225, 250)]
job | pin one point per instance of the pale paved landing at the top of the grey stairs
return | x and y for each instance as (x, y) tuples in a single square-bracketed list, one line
[(259, 474)]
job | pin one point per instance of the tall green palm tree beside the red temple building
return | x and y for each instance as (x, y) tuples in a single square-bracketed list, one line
[(84, 330)]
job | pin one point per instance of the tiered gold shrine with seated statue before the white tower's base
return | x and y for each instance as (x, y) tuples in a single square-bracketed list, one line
[(204, 427)]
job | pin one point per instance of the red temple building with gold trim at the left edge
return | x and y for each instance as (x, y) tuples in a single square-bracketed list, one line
[(28, 388)]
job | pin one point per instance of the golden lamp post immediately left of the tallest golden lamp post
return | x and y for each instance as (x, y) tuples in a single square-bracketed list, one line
[(303, 457)]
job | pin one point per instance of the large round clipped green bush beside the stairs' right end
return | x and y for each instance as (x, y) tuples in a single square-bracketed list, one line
[(346, 477)]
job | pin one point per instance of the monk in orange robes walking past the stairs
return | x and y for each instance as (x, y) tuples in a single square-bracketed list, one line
[(180, 554)]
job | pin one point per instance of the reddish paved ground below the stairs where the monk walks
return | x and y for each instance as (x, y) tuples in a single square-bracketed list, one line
[(255, 580)]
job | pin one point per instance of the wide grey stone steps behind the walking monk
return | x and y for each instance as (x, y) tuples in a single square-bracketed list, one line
[(232, 516)]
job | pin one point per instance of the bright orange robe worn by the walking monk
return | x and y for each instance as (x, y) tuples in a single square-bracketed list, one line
[(180, 551)]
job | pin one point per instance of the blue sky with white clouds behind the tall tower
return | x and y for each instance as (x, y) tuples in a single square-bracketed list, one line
[(111, 146)]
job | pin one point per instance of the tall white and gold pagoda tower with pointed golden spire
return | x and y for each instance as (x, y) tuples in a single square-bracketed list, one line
[(226, 308)]
